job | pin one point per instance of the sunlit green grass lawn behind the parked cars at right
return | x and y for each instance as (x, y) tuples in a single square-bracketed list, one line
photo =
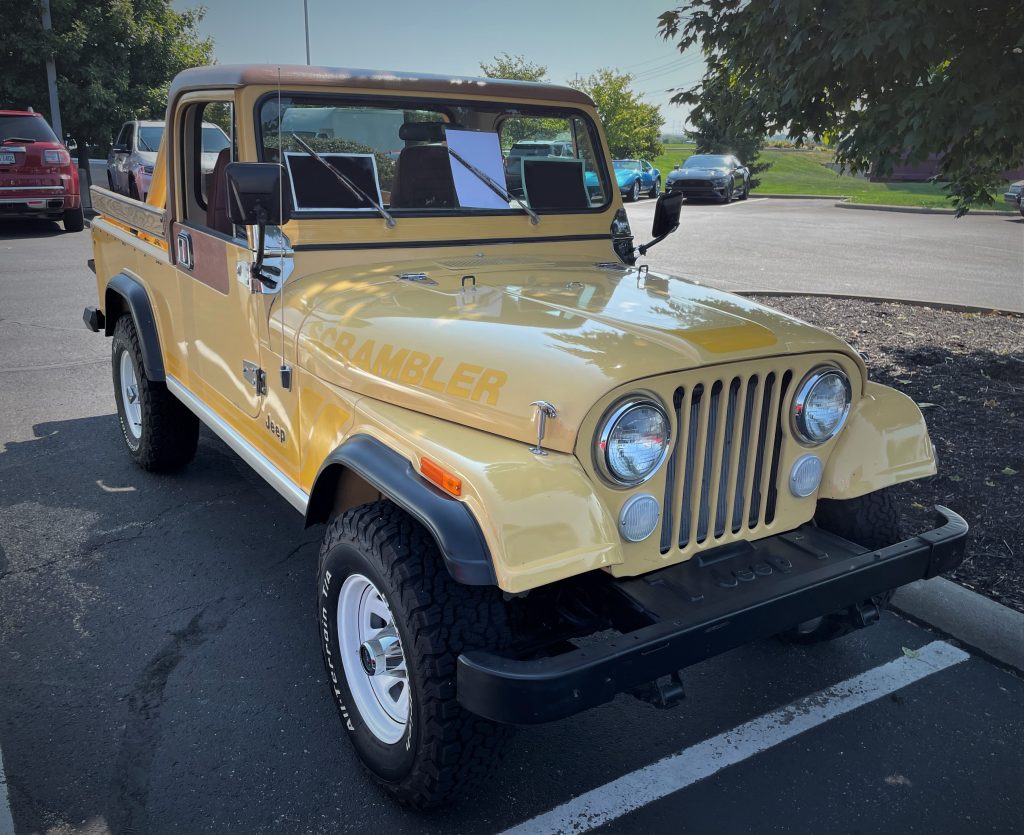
[(804, 173)]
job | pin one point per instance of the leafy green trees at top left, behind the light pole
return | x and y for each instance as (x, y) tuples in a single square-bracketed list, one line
[(115, 60)]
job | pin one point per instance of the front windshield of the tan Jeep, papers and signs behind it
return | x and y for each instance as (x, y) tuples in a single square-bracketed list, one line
[(400, 153)]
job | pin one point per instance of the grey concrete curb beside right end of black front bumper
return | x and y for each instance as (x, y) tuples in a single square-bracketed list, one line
[(994, 630)]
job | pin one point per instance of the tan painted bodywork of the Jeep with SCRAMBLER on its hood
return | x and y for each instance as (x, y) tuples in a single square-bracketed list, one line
[(449, 369)]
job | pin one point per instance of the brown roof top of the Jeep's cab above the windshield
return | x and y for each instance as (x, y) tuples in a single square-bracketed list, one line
[(242, 75)]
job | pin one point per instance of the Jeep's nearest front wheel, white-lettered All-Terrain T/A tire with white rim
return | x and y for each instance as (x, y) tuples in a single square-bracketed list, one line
[(381, 581)]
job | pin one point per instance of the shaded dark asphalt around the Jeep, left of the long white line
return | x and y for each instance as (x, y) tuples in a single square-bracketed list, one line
[(162, 671)]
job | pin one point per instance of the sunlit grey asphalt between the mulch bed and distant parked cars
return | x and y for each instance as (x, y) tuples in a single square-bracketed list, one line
[(801, 246)]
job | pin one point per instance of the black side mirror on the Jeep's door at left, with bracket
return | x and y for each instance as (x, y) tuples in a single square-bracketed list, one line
[(257, 197)]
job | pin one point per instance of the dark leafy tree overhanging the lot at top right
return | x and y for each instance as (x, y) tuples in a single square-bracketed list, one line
[(890, 80)]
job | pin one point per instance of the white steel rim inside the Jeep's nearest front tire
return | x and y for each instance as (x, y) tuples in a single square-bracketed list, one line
[(373, 659)]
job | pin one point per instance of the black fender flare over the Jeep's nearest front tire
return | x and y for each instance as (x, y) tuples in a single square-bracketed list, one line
[(453, 526)]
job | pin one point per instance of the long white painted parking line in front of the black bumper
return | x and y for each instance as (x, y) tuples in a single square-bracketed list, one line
[(645, 786)]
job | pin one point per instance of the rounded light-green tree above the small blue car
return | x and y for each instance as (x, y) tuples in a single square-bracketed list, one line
[(633, 127)]
